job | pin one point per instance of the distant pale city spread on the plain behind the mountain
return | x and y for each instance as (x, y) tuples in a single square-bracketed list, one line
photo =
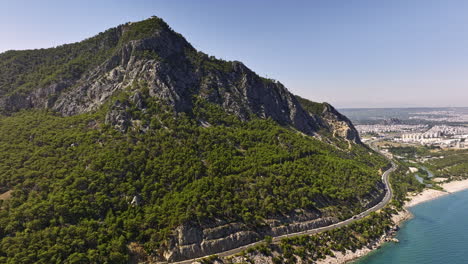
[(444, 128)]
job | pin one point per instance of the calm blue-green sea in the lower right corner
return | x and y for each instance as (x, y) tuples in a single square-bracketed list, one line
[(438, 233)]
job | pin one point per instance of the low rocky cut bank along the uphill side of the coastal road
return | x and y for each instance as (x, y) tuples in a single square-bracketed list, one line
[(193, 240)]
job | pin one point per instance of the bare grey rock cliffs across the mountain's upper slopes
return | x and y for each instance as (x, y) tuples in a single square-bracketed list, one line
[(175, 73)]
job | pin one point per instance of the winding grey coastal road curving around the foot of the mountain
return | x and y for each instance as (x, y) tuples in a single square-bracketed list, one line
[(387, 198)]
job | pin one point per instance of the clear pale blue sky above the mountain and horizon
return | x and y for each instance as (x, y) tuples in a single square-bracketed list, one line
[(351, 53)]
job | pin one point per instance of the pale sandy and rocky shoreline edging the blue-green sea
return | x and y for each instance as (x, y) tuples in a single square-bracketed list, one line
[(414, 199)]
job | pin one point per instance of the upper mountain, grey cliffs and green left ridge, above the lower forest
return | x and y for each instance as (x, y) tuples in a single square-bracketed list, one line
[(78, 78)]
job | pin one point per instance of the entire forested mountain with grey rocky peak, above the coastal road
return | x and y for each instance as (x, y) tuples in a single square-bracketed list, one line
[(133, 146)]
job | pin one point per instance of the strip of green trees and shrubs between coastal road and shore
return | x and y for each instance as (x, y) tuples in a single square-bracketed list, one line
[(310, 248)]
